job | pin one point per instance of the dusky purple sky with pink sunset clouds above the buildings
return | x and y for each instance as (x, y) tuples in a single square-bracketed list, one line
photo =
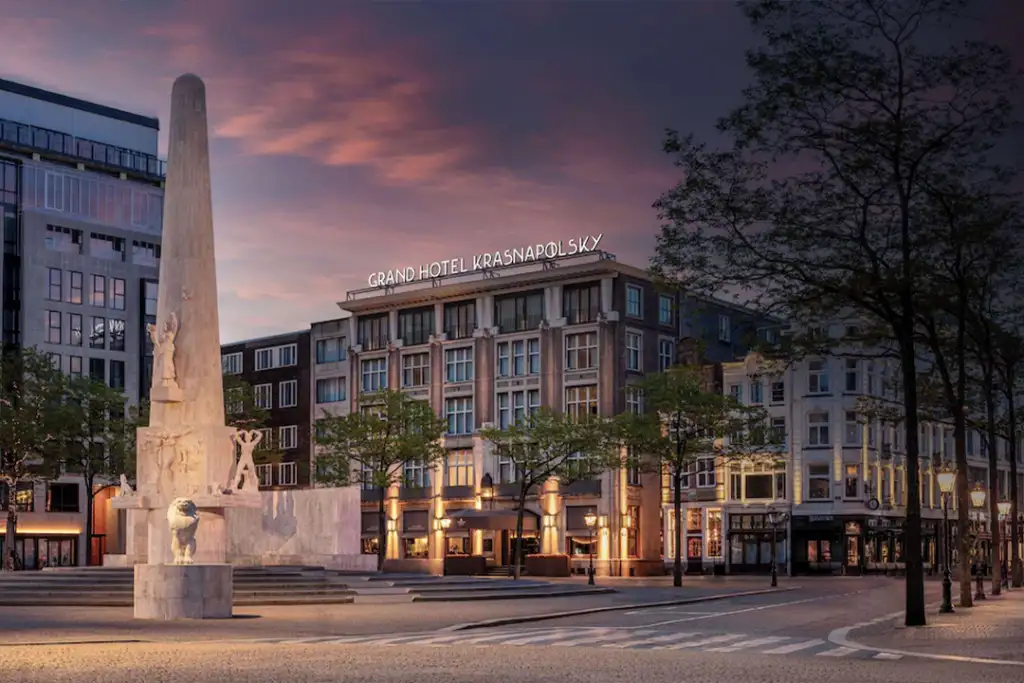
[(351, 138)]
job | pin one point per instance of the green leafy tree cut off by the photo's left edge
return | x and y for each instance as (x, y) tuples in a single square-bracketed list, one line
[(32, 422)]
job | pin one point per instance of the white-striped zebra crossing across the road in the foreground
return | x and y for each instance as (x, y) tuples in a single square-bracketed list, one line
[(611, 638)]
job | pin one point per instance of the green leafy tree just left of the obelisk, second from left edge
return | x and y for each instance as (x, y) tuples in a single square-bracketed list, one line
[(98, 442)]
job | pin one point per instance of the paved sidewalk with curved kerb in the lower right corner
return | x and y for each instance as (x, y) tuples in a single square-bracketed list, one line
[(993, 630)]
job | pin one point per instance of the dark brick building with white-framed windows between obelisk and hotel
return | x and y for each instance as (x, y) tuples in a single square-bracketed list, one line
[(278, 371)]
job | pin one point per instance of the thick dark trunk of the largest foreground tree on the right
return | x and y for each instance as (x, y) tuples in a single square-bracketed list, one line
[(915, 599)]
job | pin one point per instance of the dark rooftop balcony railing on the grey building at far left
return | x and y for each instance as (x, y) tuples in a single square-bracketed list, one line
[(45, 141)]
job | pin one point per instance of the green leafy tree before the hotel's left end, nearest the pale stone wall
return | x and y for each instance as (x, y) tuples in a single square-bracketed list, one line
[(373, 447)]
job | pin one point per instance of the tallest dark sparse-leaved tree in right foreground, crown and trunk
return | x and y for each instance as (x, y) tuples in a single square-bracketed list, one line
[(819, 210)]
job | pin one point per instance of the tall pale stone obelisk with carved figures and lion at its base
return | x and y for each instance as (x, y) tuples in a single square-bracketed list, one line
[(186, 457)]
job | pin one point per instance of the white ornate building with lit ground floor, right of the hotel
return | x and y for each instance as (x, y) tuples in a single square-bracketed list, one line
[(843, 481)]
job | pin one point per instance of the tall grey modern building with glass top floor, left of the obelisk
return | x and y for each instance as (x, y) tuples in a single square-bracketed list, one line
[(81, 202)]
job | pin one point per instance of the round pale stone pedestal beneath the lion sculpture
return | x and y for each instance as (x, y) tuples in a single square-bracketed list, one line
[(165, 592)]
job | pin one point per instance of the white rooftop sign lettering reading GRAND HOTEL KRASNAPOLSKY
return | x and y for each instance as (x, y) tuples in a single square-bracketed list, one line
[(455, 267)]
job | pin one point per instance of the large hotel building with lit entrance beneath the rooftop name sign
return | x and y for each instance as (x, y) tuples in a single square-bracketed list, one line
[(571, 333)]
